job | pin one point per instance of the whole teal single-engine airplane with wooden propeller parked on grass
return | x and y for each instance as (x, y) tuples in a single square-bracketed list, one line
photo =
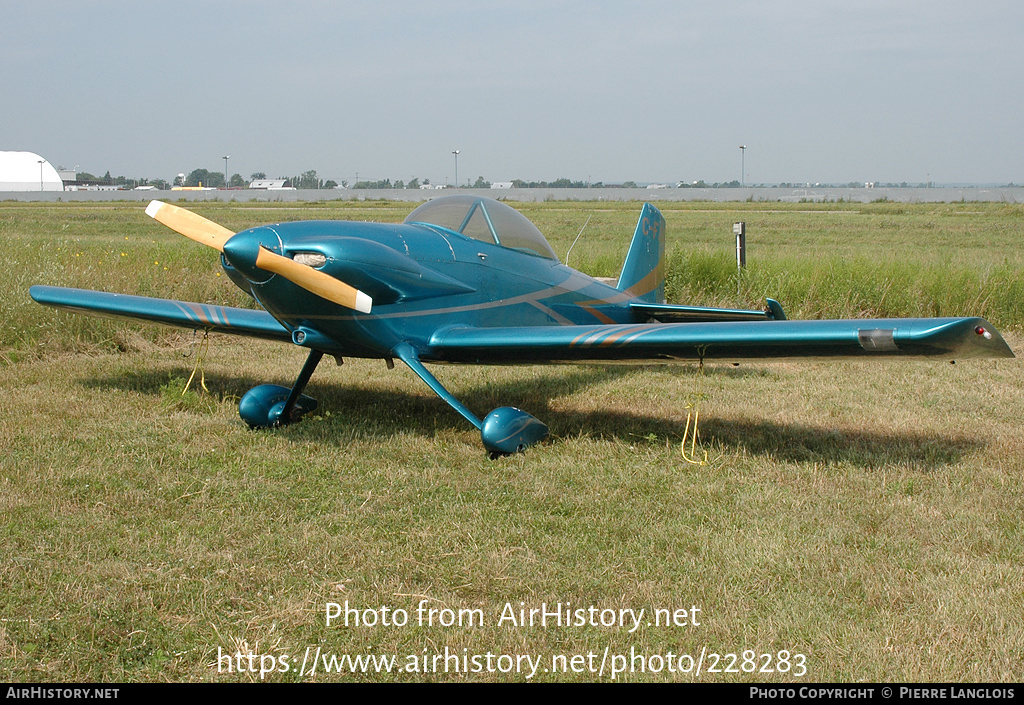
[(471, 280)]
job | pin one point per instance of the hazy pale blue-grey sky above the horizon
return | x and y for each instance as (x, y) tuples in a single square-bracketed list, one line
[(652, 92)]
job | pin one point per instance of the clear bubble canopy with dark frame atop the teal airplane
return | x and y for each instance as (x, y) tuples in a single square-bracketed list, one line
[(484, 220)]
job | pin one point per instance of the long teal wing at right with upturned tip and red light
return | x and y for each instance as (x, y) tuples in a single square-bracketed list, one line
[(730, 342)]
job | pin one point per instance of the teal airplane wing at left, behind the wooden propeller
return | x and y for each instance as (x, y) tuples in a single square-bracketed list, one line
[(257, 324)]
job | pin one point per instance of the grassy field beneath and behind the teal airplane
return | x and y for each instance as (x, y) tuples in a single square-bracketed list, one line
[(864, 516)]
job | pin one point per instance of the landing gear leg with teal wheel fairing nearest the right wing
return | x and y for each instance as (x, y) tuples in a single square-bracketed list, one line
[(504, 431)]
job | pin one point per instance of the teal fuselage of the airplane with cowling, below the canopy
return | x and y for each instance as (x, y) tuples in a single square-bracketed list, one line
[(422, 279)]
